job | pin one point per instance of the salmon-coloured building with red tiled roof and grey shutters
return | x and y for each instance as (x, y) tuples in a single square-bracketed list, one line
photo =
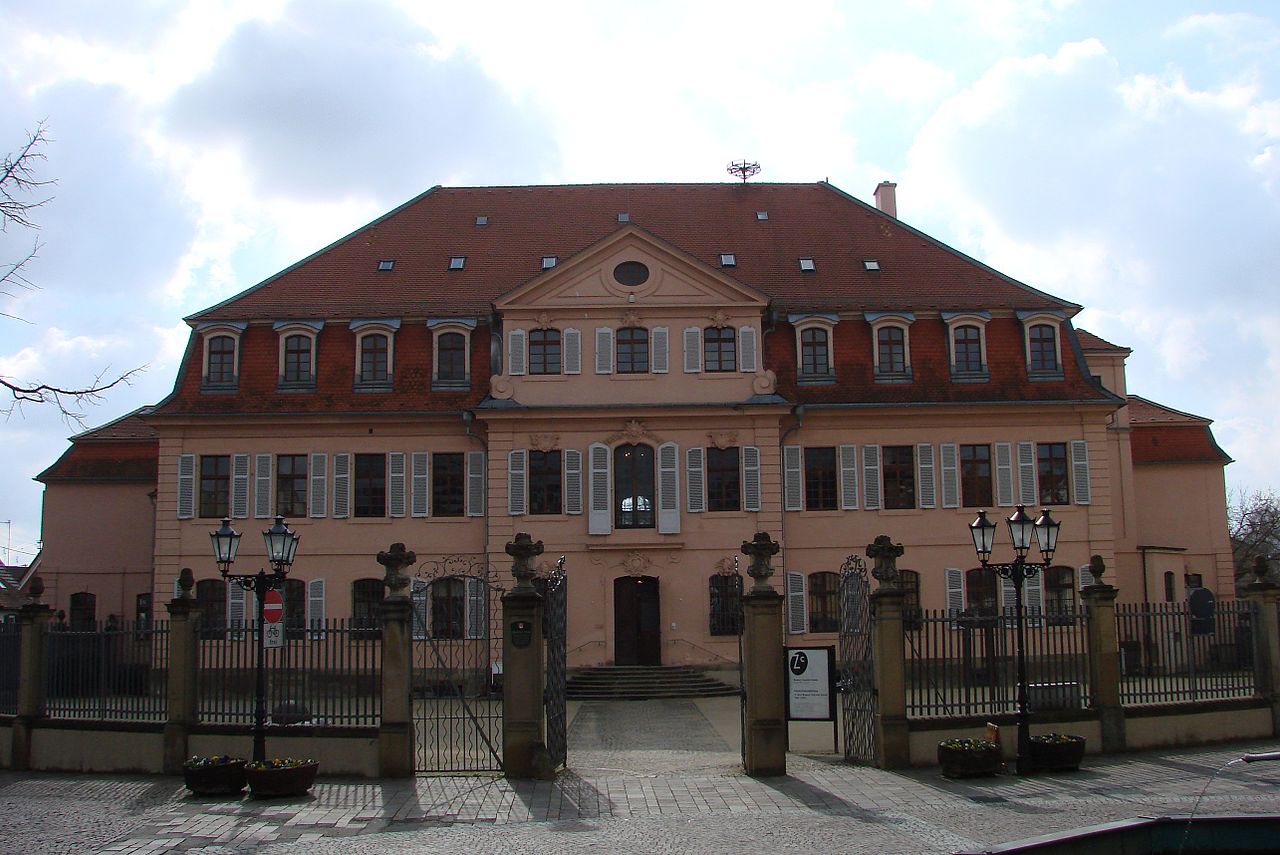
[(643, 377)]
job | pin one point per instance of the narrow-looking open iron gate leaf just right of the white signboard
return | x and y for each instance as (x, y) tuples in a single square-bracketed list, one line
[(857, 676)]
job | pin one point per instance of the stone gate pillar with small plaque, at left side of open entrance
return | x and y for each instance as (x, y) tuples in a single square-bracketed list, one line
[(524, 751)]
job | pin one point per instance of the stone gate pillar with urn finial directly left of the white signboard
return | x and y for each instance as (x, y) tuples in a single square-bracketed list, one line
[(764, 662)]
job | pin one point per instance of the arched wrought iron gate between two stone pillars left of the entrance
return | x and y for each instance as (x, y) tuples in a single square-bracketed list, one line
[(458, 666)]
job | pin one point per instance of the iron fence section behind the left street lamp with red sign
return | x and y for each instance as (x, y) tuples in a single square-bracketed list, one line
[(330, 674)]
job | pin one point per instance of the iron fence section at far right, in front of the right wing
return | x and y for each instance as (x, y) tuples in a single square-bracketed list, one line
[(1171, 656)]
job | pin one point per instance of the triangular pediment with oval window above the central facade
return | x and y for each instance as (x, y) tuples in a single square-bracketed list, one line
[(671, 280)]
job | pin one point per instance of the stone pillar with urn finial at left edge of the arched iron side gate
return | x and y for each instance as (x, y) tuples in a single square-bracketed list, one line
[(396, 729)]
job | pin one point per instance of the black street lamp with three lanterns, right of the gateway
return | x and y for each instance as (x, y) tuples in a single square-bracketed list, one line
[(1021, 528)]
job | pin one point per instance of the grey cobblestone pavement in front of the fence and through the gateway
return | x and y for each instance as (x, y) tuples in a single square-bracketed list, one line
[(653, 794)]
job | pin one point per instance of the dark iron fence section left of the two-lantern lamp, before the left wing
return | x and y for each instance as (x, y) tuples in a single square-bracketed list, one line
[(116, 671)]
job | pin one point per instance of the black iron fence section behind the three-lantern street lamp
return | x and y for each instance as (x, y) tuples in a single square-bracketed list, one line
[(963, 664)]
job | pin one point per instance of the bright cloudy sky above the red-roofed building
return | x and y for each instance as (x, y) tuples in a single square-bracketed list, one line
[(1124, 157)]
